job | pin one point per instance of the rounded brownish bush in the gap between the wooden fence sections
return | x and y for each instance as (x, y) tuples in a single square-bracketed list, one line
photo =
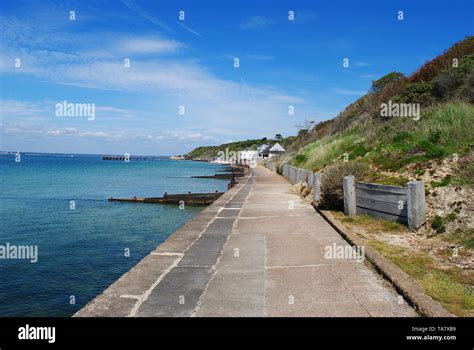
[(332, 196)]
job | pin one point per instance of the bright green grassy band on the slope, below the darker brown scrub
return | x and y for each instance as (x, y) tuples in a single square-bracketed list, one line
[(443, 130)]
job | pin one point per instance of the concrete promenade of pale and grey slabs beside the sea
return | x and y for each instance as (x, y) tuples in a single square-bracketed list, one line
[(259, 250)]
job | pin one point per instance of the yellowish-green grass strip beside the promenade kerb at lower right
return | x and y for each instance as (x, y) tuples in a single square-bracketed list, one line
[(449, 286)]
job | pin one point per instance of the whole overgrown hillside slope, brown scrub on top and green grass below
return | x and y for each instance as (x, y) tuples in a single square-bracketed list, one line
[(444, 88)]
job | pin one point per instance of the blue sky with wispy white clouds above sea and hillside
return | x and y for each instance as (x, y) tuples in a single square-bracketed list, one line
[(190, 63)]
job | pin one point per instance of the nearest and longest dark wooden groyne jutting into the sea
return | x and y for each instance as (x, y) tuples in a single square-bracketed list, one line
[(188, 198)]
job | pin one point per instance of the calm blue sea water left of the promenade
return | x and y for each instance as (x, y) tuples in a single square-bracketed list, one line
[(82, 251)]
